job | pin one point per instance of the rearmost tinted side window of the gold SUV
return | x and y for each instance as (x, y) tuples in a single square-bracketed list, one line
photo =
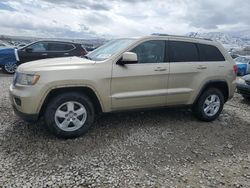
[(210, 53)]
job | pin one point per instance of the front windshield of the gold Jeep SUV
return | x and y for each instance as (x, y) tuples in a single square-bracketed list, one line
[(109, 49)]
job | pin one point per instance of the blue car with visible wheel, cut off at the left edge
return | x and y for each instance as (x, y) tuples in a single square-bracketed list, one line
[(8, 60)]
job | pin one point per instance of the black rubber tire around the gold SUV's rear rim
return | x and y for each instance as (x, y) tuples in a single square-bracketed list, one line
[(198, 108)]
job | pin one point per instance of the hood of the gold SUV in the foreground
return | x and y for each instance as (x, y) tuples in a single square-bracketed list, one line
[(54, 64)]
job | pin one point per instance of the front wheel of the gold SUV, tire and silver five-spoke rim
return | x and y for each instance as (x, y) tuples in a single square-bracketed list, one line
[(69, 115)]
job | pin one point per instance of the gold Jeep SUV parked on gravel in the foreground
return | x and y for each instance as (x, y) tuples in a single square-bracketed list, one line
[(125, 74)]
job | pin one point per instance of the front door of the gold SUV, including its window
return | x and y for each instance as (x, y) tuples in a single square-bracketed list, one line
[(143, 84)]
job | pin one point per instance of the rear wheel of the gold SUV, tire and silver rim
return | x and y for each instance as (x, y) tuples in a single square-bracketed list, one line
[(209, 105)]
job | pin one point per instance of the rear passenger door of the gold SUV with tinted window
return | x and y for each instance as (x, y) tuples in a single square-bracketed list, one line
[(184, 71)]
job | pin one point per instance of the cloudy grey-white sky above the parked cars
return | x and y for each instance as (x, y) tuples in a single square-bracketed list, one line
[(121, 18)]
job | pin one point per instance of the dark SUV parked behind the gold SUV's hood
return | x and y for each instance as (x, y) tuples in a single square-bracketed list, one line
[(49, 49)]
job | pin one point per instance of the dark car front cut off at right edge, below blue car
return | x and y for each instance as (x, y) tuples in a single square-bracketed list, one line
[(243, 86)]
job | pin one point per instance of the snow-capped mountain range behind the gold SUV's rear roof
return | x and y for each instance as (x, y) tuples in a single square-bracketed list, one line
[(227, 40)]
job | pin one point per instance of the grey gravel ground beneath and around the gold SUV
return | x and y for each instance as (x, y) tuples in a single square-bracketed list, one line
[(160, 148)]
